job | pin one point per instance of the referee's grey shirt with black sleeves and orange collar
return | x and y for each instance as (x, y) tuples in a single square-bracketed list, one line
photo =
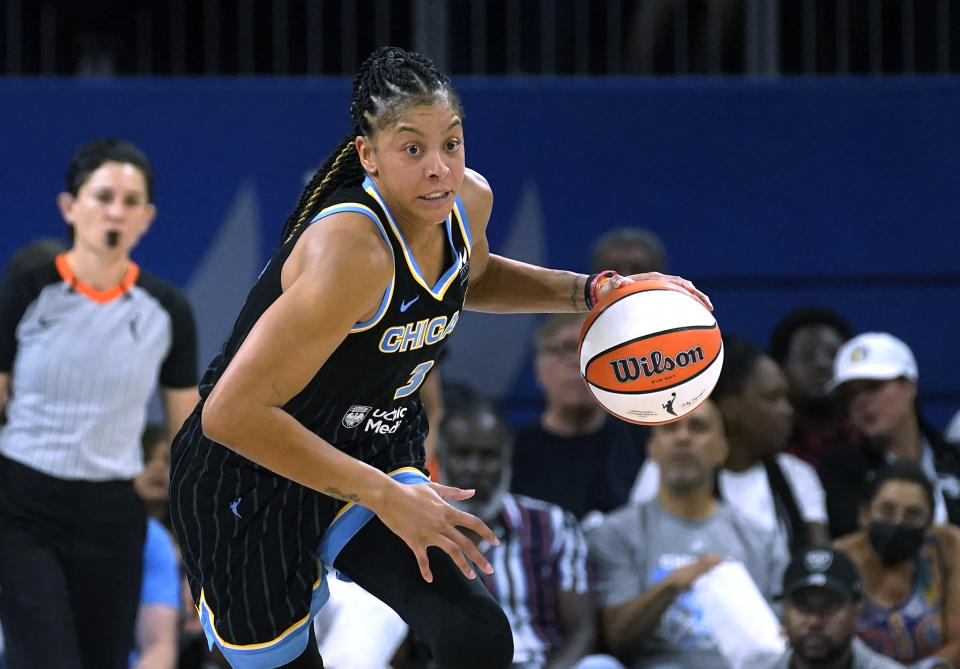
[(83, 366)]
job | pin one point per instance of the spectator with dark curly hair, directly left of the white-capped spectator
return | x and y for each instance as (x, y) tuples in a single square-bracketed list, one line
[(804, 344)]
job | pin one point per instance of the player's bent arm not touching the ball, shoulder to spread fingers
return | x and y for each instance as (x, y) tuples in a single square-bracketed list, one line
[(323, 297)]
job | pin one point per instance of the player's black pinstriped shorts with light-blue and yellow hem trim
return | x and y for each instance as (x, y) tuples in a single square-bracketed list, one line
[(257, 549)]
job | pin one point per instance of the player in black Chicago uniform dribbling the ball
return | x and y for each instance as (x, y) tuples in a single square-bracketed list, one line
[(296, 458)]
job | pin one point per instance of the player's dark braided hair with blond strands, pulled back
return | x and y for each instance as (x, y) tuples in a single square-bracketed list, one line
[(389, 81)]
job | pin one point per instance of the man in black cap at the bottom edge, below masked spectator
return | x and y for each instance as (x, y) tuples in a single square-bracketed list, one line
[(821, 607)]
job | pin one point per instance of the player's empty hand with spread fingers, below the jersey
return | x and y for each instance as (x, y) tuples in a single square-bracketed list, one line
[(419, 515)]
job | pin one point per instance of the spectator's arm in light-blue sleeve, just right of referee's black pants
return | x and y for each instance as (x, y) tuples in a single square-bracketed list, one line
[(156, 643)]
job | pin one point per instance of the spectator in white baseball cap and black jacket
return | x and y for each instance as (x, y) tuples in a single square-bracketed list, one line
[(876, 375)]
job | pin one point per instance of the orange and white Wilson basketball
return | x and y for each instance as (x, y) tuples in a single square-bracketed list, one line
[(650, 353)]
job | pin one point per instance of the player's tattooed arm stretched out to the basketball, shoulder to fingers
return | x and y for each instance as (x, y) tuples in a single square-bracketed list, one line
[(502, 285)]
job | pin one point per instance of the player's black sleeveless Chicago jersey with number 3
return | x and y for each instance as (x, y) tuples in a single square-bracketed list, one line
[(364, 399)]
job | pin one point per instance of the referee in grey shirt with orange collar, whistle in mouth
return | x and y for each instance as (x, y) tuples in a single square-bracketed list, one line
[(85, 338)]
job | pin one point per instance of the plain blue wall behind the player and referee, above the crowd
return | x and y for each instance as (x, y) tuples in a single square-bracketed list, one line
[(769, 194)]
